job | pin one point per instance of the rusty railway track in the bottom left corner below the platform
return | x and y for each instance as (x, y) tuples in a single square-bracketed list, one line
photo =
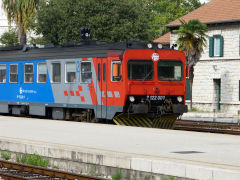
[(16, 171)]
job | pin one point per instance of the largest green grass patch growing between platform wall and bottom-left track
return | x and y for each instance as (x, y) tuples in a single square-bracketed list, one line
[(32, 159)]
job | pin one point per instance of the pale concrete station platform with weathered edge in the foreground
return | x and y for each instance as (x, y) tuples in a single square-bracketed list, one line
[(189, 155)]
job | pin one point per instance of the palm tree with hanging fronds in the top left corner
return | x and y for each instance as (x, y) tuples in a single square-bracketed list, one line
[(22, 13)]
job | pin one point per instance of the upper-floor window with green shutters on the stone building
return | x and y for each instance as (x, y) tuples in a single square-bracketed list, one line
[(216, 46)]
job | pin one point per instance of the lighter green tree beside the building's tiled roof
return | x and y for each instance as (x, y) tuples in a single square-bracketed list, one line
[(165, 11)]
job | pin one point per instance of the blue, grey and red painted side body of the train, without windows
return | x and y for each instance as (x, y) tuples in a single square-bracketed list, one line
[(96, 93)]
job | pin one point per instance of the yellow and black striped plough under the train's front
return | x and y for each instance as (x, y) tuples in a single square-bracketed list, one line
[(164, 122)]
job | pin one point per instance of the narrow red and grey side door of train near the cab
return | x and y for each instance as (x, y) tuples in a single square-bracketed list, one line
[(102, 88)]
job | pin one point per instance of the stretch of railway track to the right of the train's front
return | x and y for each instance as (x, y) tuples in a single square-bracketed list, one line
[(213, 127)]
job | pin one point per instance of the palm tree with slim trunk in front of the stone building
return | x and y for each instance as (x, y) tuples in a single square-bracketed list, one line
[(192, 40)]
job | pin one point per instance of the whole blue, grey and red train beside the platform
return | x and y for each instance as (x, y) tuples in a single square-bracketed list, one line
[(130, 83)]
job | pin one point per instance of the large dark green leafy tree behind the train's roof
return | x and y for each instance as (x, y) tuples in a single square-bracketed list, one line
[(110, 20)]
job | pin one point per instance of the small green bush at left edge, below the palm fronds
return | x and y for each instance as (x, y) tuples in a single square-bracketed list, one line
[(9, 38)]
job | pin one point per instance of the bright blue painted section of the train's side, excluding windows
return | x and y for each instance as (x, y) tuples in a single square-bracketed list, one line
[(26, 92)]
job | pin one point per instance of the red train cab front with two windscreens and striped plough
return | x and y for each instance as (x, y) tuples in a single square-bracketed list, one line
[(153, 86)]
